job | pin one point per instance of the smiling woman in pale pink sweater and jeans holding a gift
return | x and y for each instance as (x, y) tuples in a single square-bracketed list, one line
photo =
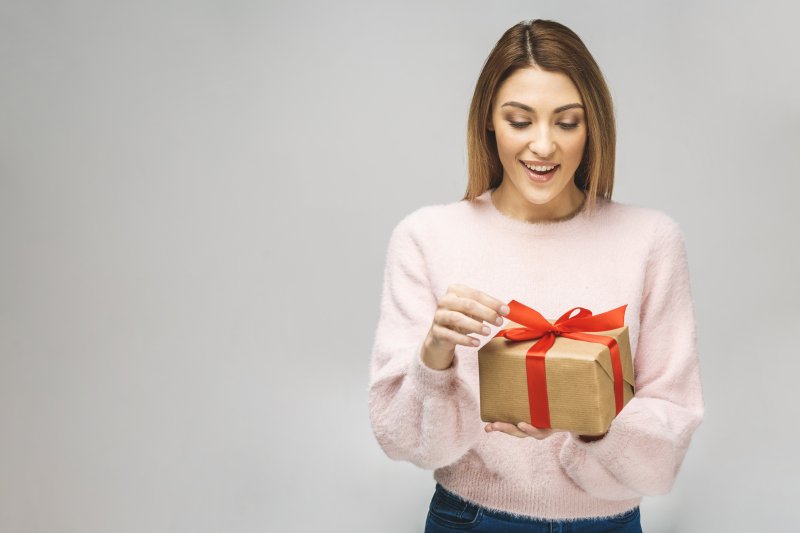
[(537, 224)]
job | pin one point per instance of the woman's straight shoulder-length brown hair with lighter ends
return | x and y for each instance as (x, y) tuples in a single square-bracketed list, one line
[(552, 47)]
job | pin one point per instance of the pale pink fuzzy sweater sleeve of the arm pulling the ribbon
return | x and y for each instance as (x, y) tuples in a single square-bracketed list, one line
[(418, 414)]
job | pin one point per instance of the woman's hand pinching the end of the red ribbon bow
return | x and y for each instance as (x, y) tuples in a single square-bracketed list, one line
[(462, 310)]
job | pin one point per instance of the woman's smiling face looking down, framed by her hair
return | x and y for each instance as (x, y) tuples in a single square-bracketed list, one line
[(538, 119)]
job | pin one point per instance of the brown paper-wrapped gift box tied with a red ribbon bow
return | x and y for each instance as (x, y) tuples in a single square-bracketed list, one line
[(573, 373)]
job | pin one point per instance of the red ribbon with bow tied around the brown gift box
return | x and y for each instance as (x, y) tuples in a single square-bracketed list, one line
[(536, 326)]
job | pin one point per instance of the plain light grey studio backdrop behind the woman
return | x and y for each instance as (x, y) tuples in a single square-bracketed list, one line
[(195, 203)]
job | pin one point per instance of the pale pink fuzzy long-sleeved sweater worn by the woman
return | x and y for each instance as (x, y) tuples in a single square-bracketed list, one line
[(619, 254)]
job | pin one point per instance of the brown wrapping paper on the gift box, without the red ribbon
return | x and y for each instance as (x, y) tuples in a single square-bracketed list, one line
[(580, 382)]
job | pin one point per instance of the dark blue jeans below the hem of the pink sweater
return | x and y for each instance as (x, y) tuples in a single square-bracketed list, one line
[(449, 512)]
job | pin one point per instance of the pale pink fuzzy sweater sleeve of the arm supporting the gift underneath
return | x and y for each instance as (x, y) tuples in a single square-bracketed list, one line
[(645, 445)]
